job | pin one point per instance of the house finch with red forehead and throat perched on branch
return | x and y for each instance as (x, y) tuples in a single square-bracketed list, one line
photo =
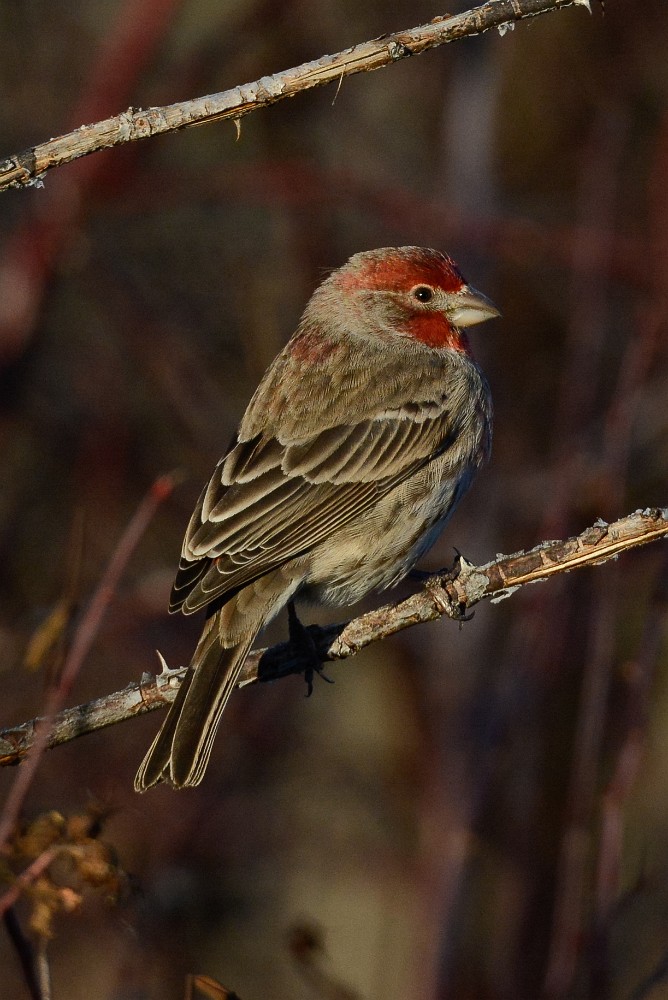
[(359, 442)]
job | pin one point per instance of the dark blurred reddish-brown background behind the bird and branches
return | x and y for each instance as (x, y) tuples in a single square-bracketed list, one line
[(467, 813)]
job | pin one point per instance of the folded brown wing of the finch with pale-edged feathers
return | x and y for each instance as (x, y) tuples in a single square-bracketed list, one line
[(313, 487)]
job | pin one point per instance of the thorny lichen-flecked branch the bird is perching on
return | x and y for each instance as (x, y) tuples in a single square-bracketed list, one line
[(450, 593)]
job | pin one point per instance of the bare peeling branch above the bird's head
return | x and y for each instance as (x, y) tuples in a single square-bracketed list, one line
[(29, 166)]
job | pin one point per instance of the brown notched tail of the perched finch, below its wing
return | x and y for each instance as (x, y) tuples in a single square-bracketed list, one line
[(180, 752)]
